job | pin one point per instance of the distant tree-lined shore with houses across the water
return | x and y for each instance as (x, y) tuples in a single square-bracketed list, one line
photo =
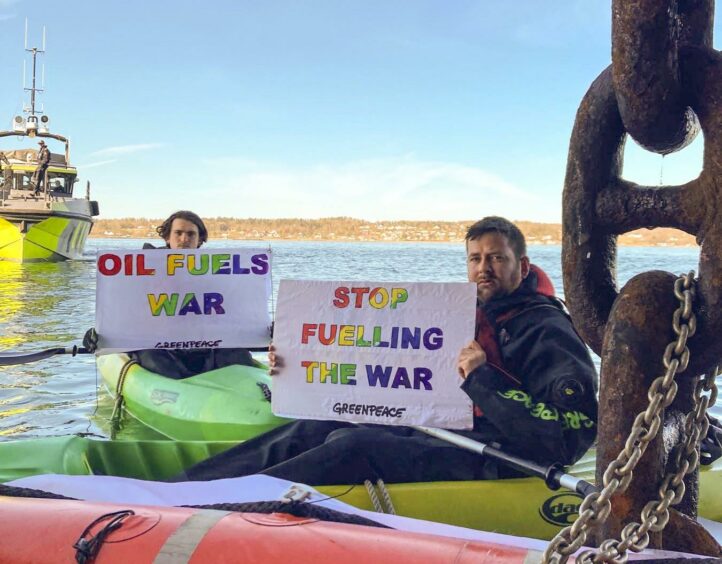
[(350, 229)]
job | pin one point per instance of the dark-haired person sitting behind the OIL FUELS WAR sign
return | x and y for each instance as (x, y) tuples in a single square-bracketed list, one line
[(181, 230)]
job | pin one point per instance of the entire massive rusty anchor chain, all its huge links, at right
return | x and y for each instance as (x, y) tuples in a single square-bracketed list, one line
[(664, 73)]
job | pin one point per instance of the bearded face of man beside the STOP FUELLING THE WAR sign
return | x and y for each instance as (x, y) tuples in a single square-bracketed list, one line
[(494, 268)]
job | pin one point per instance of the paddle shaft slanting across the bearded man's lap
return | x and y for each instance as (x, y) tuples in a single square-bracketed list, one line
[(553, 475)]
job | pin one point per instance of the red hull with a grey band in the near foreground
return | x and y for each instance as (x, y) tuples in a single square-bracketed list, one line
[(36, 530)]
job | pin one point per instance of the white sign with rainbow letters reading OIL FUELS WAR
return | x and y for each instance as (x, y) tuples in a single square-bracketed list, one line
[(176, 299)]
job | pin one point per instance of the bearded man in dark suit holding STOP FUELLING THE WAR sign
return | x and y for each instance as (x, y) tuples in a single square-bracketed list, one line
[(528, 373)]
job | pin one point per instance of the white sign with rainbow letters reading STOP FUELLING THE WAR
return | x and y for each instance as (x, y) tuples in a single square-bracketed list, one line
[(373, 352)]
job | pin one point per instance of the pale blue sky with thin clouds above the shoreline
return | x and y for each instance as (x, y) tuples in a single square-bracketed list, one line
[(375, 109)]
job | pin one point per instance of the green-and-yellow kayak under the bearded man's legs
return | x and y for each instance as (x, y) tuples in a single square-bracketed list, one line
[(522, 507)]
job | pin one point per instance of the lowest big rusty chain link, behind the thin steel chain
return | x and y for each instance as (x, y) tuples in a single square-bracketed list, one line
[(637, 332)]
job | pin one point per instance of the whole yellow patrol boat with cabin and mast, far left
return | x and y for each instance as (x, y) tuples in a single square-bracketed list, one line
[(46, 226)]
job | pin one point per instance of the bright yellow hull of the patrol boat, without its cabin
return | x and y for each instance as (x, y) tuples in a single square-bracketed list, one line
[(47, 236)]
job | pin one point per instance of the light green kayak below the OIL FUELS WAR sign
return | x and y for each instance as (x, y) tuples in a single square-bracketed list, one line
[(227, 404)]
